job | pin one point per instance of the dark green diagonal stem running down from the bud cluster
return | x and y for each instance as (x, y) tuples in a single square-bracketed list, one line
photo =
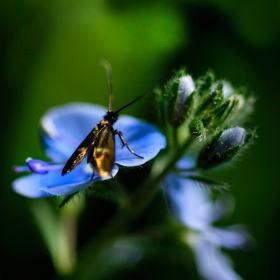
[(140, 199)]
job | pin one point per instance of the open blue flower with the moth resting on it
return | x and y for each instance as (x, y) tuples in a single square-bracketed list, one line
[(62, 129)]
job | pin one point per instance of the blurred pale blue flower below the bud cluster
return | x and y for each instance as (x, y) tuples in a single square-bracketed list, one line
[(192, 206)]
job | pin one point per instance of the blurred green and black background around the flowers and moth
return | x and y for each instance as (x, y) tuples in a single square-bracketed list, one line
[(50, 53)]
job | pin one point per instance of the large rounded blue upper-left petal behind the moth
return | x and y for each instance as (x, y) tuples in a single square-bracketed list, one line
[(64, 127)]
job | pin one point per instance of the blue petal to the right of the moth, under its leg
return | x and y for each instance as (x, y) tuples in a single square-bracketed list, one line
[(144, 139)]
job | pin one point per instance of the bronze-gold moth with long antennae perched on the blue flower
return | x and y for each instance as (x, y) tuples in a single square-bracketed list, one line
[(99, 144)]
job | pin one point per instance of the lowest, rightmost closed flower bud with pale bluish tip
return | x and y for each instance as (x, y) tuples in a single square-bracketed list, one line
[(223, 148)]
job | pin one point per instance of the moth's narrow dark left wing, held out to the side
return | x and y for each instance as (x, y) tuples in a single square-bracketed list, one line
[(80, 152)]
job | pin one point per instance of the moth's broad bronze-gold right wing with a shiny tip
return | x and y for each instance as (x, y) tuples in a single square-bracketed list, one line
[(102, 156)]
